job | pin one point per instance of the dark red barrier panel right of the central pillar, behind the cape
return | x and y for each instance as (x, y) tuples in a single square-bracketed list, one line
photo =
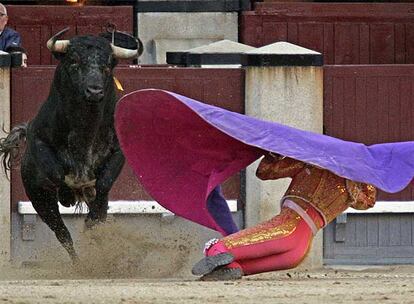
[(370, 104)]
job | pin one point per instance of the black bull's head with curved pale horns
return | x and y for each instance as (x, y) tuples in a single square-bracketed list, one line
[(89, 62)]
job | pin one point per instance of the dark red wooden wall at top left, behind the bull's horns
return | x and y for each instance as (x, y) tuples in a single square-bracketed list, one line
[(37, 23)]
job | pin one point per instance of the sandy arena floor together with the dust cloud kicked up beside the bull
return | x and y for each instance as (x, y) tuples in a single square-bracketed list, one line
[(114, 271)]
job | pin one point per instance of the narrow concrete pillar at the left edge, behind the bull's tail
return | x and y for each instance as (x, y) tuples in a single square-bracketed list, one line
[(5, 60)]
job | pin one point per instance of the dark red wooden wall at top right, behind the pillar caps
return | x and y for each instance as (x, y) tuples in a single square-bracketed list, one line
[(345, 33)]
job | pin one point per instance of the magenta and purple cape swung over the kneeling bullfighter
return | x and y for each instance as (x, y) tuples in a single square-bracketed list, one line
[(181, 149)]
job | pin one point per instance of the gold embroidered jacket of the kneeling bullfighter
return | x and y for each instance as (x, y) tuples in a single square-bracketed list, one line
[(326, 192)]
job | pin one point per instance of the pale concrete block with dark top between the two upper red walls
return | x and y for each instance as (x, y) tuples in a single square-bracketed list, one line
[(181, 25)]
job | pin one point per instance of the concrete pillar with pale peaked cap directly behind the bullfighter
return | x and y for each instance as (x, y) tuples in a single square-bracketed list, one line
[(284, 83)]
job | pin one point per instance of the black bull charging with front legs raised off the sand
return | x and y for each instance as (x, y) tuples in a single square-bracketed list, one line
[(72, 153)]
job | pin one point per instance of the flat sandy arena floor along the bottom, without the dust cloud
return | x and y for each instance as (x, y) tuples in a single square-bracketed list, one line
[(373, 285)]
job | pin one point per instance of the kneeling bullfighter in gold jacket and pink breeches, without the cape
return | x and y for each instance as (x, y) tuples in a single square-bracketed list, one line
[(314, 198)]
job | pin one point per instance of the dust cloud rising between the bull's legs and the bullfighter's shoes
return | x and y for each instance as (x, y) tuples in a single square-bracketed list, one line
[(114, 251)]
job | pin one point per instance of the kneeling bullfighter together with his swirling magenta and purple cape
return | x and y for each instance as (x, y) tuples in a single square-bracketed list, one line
[(181, 150)]
